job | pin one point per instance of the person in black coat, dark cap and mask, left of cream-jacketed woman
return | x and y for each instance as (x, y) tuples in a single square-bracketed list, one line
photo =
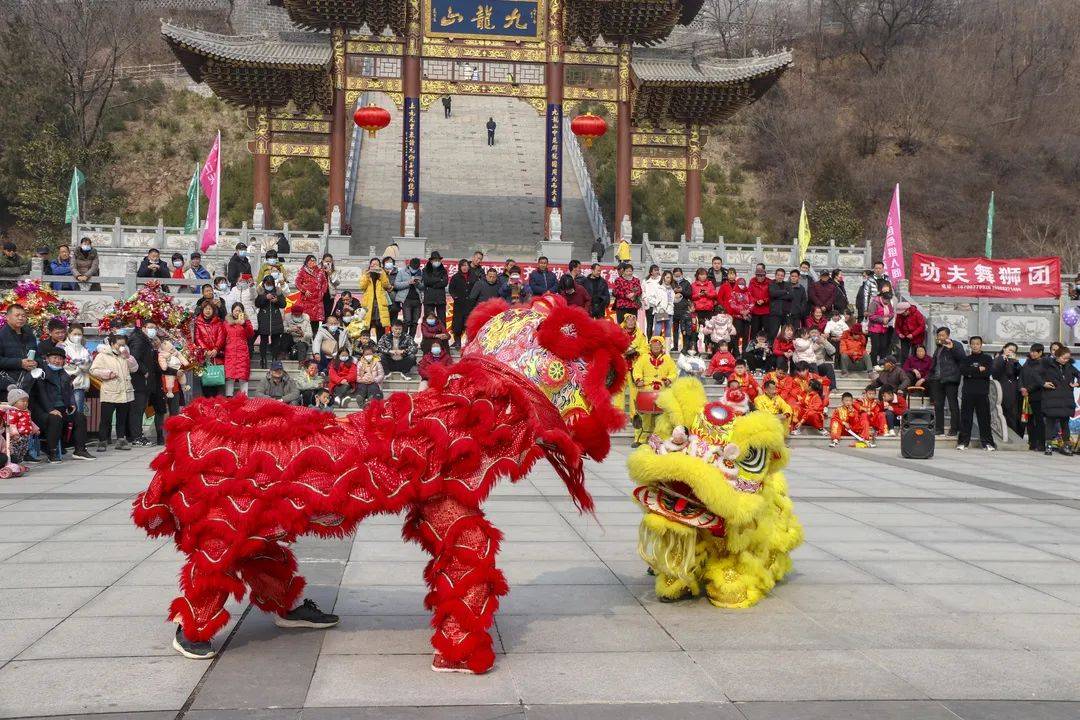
[(55, 411)]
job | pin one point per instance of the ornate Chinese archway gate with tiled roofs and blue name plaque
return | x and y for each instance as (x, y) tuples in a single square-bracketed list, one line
[(300, 85)]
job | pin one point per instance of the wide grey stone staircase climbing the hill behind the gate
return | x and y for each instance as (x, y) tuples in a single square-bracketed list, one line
[(472, 197)]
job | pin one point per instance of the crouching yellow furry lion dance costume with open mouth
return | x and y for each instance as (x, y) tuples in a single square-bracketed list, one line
[(718, 517)]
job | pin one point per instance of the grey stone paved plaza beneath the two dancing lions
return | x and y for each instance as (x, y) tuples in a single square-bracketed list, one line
[(948, 589)]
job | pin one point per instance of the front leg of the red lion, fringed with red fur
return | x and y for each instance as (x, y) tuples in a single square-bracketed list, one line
[(465, 583)]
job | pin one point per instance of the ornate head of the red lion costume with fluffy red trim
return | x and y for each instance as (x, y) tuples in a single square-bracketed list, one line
[(575, 360)]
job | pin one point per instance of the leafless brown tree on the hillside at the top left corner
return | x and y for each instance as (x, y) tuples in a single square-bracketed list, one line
[(86, 40)]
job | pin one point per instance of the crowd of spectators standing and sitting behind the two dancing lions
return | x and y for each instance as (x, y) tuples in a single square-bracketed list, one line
[(780, 339)]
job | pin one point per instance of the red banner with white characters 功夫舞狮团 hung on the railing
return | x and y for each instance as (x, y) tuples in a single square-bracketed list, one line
[(1019, 278)]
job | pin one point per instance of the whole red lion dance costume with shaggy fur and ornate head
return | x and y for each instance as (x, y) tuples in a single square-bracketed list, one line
[(240, 479)]
